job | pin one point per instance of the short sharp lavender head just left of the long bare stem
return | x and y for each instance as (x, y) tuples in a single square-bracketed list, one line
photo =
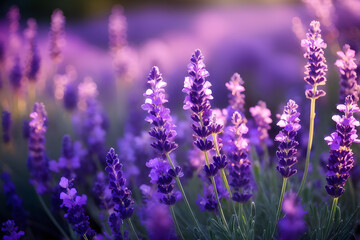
[(287, 153)]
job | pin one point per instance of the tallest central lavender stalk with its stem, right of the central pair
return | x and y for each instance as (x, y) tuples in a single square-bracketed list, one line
[(198, 101)]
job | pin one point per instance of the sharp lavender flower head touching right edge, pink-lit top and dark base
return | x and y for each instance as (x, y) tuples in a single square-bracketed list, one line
[(341, 159)]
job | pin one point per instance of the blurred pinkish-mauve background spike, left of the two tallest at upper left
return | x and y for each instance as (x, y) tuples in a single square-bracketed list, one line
[(57, 38)]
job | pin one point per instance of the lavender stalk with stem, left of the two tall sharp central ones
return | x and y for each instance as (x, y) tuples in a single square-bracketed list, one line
[(163, 132)]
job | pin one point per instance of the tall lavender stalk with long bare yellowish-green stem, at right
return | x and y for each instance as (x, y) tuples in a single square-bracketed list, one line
[(315, 71)]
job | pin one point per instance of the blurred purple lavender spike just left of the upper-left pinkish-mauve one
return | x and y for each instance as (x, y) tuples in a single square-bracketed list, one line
[(33, 62)]
